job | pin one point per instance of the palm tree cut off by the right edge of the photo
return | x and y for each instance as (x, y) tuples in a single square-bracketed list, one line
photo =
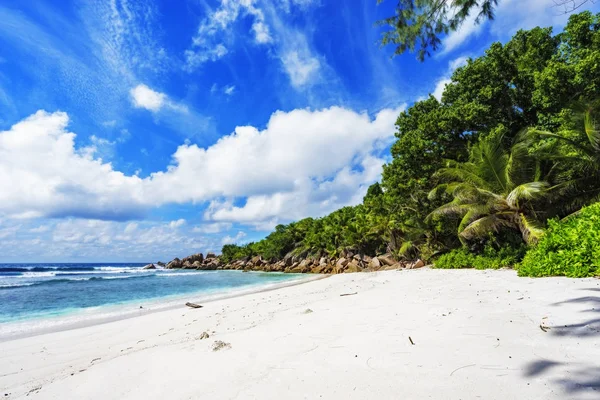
[(575, 158)]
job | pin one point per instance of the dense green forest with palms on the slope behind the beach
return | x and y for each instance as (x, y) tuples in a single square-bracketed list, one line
[(496, 170)]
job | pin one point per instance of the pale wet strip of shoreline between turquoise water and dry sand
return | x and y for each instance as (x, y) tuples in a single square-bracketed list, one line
[(87, 317)]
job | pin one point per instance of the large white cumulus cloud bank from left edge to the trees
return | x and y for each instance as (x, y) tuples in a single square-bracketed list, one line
[(316, 160)]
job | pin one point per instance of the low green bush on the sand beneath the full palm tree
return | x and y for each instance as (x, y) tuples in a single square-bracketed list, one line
[(490, 258)]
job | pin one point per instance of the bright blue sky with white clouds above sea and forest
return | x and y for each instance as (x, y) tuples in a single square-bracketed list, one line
[(145, 130)]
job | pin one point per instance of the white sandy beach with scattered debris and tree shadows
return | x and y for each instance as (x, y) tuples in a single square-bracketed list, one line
[(413, 334)]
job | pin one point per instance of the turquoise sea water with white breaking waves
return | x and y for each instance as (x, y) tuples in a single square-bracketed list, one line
[(45, 290)]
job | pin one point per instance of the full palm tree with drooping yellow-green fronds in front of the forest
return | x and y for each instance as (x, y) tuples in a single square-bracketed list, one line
[(494, 190)]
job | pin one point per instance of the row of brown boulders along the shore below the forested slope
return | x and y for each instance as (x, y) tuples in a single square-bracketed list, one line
[(293, 263)]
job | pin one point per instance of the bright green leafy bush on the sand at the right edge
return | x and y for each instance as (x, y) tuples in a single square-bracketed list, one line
[(570, 247)]
